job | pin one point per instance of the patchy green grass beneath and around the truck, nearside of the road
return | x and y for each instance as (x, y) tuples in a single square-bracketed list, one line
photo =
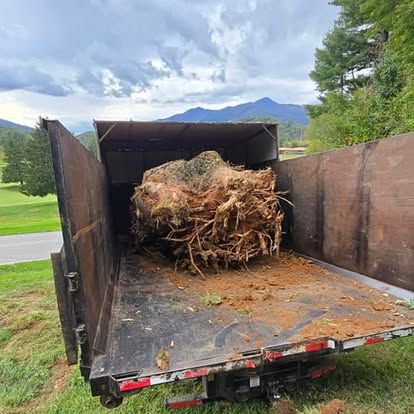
[(35, 379)]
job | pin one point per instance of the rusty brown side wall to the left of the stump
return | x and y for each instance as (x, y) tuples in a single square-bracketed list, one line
[(89, 244)]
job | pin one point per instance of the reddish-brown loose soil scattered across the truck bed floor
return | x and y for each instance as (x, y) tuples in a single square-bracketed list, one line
[(288, 290)]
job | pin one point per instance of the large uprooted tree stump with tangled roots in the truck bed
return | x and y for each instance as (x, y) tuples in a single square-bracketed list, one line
[(206, 213)]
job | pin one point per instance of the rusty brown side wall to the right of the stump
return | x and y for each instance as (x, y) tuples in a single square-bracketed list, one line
[(354, 207)]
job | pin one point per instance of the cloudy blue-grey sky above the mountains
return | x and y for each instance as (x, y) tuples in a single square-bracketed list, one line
[(143, 59)]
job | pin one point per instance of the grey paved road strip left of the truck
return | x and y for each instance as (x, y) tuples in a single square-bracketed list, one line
[(26, 247)]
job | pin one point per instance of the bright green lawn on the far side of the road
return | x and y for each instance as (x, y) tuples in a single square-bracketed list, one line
[(23, 214)]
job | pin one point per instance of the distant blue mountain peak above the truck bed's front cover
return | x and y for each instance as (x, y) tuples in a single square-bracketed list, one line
[(262, 108)]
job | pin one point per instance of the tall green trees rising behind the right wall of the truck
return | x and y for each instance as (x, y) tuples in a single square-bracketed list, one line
[(364, 74)]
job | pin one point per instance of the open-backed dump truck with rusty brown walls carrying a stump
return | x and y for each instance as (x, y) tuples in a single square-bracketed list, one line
[(343, 280)]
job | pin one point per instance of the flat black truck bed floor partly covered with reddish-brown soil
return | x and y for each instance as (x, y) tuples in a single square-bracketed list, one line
[(274, 302)]
